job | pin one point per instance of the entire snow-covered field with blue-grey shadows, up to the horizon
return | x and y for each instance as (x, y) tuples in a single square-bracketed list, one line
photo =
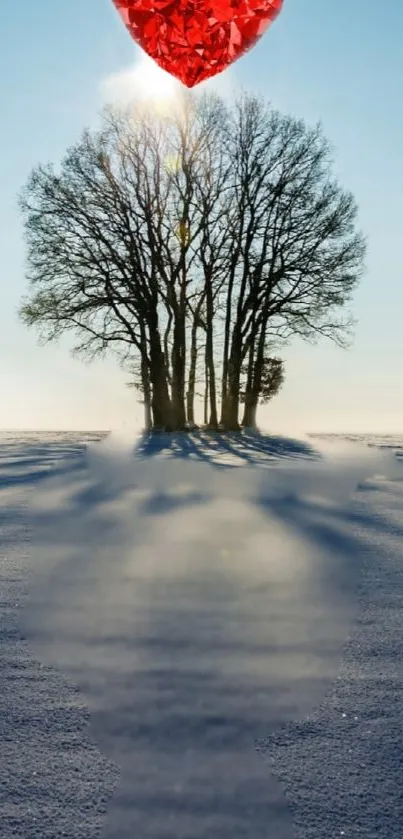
[(201, 639)]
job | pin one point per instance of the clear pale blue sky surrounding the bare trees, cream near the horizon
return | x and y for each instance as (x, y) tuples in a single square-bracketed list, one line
[(337, 62)]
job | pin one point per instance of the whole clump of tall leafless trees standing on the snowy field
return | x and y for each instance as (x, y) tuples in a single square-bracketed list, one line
[(185, 243)]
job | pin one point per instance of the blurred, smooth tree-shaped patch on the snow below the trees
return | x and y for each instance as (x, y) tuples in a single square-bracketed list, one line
[(194, 636)]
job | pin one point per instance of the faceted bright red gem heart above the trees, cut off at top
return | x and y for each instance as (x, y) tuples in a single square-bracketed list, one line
[(196, 39)]
